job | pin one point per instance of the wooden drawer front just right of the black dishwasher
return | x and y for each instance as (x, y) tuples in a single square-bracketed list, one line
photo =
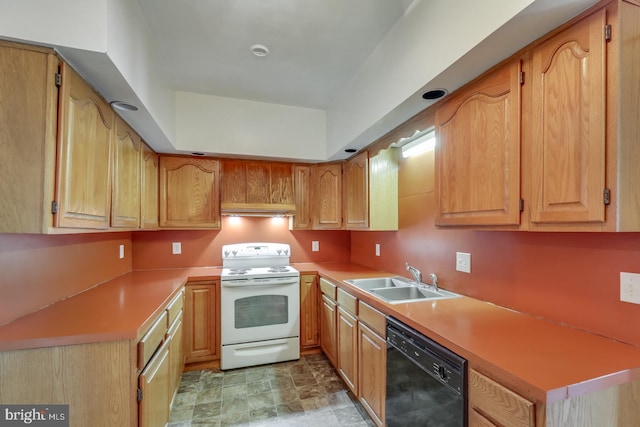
[(498, 403)]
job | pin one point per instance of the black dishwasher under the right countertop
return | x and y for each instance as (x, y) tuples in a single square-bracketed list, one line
[(426, 382)]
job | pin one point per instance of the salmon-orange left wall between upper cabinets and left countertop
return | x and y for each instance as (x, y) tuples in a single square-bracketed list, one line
[(38, 270)]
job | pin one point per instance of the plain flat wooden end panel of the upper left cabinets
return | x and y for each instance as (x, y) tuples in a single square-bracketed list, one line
[(28, 137)]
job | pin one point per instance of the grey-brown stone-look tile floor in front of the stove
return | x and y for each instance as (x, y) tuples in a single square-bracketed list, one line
[(306, 392)]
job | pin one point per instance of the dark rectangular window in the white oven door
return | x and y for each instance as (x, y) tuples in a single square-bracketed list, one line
[(261, 310)]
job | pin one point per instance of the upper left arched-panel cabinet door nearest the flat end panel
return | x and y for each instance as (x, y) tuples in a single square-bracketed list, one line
[(84, 150)]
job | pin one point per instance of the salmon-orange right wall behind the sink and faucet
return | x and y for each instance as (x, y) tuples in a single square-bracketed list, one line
[(570, 278)]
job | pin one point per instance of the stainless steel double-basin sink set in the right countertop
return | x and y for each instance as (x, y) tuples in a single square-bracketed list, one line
[(396, 290)]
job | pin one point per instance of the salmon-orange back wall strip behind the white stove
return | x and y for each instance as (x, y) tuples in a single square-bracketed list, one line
[(152, 249)]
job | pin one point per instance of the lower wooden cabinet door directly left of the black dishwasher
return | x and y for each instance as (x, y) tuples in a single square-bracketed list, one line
[(372, 368)]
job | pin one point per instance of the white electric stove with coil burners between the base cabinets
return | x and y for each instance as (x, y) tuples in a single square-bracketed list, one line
[(260, 305)]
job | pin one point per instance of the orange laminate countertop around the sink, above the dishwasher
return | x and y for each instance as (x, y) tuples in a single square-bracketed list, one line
[(540, 359)]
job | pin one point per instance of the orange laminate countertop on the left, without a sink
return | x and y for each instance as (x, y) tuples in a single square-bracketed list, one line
[(121, 308)]
